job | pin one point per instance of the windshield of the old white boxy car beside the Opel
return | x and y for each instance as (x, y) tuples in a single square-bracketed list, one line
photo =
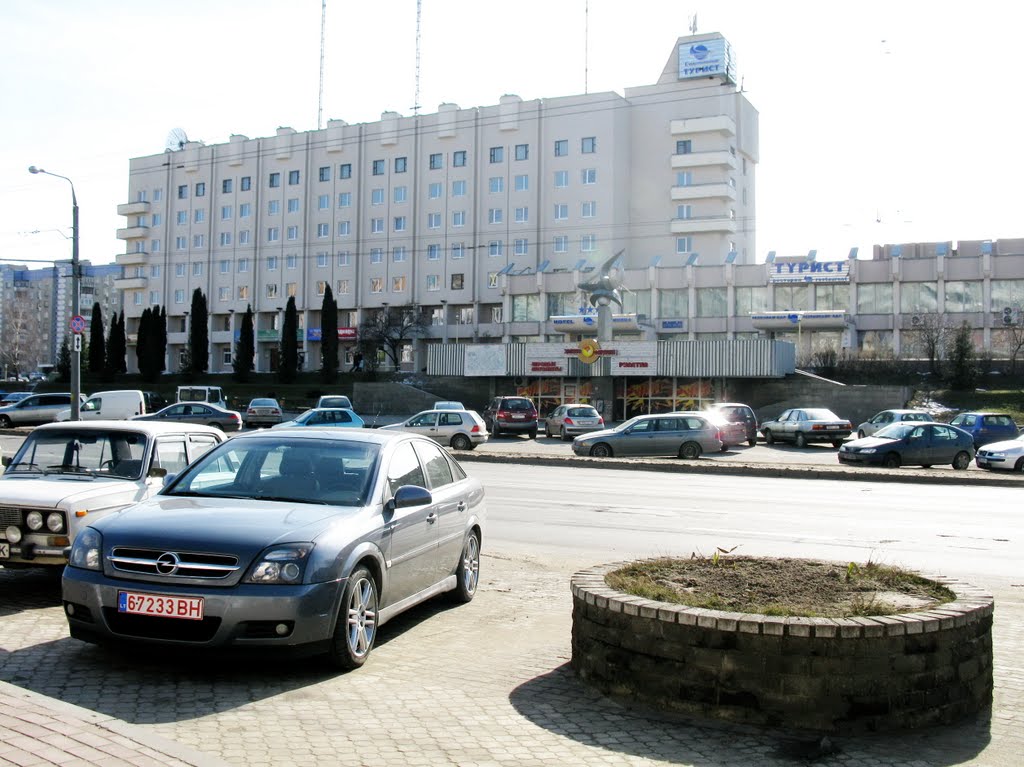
[(89, 453)]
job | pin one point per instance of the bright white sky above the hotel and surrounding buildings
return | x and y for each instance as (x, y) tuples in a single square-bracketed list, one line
[(880, 122)]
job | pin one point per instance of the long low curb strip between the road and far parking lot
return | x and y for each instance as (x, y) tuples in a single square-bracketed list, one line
[(797, 472)]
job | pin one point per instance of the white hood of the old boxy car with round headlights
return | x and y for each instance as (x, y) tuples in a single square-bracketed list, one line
[(67, 491)]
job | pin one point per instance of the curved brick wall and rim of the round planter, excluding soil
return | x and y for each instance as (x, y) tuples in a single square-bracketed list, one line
[(836, 676)]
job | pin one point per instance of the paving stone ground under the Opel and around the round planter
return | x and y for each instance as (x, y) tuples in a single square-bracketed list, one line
[(486, 685)]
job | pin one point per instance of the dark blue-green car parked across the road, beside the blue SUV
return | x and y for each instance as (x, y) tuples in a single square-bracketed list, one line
[(912, 444)]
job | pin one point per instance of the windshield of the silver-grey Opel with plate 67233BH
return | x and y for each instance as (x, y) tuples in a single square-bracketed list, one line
[(337, 473)]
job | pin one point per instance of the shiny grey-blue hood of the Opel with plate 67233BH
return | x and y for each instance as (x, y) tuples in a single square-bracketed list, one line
[(221, 525)]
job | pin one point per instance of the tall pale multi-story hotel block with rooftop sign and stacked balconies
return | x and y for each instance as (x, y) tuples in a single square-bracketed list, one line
[(439, 211)]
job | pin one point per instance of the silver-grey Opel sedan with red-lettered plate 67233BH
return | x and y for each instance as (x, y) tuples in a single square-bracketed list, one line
[(305, 541)]
